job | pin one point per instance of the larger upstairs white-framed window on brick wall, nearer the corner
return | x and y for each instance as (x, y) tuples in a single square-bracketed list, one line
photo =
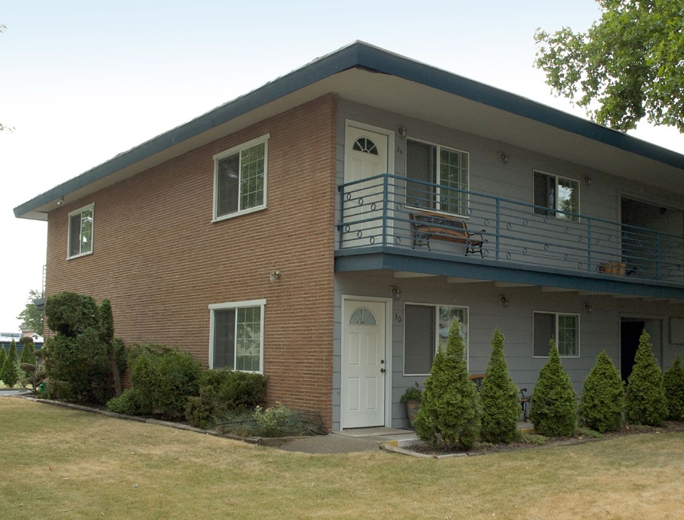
[(240, 179)]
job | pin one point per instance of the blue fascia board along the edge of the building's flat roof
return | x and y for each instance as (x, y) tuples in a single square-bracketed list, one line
[(360, 54)]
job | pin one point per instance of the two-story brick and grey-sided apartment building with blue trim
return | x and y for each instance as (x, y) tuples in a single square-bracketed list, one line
[(318, 230)]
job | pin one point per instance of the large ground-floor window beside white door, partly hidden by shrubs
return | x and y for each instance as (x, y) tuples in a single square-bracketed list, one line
[(426, 329)]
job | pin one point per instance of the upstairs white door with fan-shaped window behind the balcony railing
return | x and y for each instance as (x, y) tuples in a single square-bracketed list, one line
[(366, 156)]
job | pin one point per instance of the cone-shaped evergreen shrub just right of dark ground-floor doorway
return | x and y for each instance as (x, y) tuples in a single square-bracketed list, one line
[(645, 402)]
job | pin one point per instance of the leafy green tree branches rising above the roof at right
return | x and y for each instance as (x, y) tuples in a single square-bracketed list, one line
[(629, 63)]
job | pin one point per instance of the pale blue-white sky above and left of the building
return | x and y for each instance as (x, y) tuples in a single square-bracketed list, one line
[(81, 81)]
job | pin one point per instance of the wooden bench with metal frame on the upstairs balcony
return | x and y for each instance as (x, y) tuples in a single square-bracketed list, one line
[(435, 226)]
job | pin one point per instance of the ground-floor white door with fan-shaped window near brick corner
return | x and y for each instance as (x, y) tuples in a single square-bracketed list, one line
[(363, 356)]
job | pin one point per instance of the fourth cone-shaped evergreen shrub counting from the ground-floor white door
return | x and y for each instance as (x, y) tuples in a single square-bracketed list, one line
[(603, 396)]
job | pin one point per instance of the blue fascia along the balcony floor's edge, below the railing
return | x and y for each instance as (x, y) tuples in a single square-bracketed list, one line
[(379, 258)]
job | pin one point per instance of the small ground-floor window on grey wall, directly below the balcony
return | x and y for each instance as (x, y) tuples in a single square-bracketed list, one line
[(562, 328)]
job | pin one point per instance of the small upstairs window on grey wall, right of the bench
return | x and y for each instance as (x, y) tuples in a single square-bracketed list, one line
[(558, 195)]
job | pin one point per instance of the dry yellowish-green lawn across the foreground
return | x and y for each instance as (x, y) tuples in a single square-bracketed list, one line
[(62, 463)]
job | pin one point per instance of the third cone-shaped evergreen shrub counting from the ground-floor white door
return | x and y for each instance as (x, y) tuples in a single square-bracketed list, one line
[(554, 400)]
